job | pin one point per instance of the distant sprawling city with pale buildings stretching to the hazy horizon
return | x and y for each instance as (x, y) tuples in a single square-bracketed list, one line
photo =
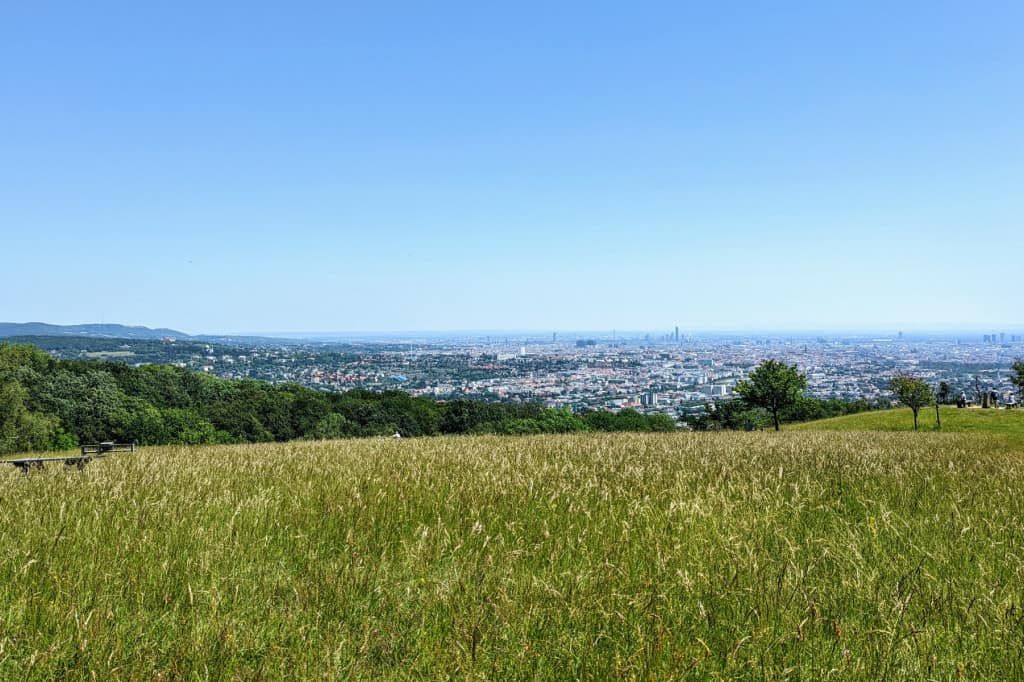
[(669, 372)]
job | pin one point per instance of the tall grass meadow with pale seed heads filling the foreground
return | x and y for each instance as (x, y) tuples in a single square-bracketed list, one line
[(763, 556)]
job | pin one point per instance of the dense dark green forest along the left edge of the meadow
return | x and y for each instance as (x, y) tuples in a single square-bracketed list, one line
[(49, 404)]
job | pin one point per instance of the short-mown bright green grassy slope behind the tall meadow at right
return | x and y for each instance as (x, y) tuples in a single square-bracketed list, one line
[(1005, 422)]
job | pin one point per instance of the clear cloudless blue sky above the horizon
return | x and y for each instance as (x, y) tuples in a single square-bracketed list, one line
[(243, 167)]
